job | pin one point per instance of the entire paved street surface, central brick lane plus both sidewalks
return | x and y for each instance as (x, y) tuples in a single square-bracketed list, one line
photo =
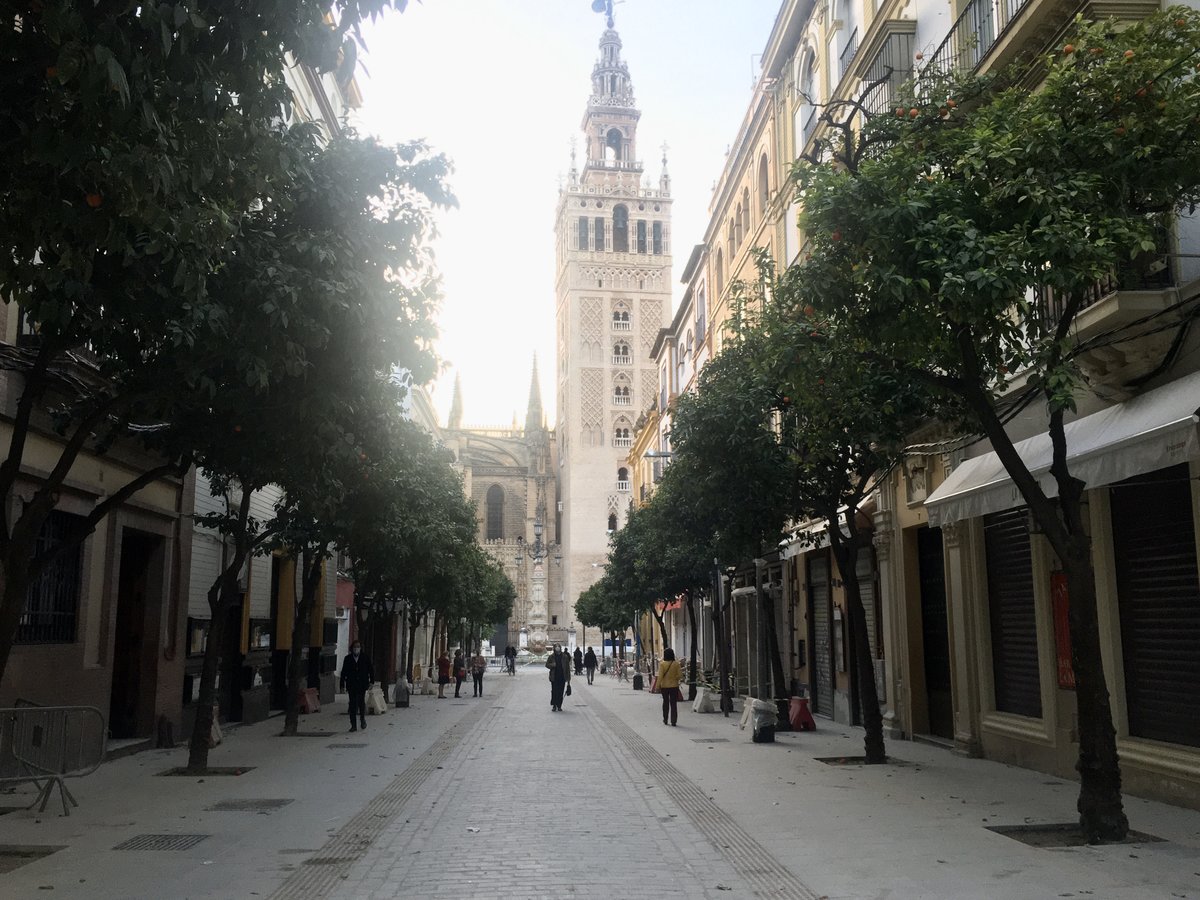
[(502, 799)]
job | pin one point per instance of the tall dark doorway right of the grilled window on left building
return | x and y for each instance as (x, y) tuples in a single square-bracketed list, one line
[(135, 668)]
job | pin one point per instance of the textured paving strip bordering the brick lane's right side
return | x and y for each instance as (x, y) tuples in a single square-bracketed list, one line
[(748, 857)]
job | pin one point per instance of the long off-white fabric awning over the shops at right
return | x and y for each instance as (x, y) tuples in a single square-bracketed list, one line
[(1153, 431)]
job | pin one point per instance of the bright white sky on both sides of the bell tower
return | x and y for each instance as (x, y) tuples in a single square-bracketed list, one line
[(501, 87)]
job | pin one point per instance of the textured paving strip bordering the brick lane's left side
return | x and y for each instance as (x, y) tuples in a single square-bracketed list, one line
[(321, 874)]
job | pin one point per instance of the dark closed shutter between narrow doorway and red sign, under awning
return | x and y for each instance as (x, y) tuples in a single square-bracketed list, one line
[(1015, 634)]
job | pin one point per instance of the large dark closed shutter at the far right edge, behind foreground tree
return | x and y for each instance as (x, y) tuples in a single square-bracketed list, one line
[(1154, 539)]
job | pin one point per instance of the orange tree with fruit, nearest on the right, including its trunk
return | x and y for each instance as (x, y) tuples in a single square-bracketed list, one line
[(934, 231)]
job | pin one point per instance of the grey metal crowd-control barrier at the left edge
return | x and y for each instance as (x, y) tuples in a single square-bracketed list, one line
[(45, 746)]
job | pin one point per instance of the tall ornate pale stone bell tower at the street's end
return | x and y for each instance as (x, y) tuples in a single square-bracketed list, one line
[(613, 297)]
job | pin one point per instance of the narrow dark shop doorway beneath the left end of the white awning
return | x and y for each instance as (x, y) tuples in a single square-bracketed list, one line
[(935, 633)]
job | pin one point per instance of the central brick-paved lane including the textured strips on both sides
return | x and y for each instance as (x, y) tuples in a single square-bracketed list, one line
[(535, 803)]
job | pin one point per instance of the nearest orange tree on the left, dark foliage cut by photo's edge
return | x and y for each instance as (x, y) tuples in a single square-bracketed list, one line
[(137, 141)]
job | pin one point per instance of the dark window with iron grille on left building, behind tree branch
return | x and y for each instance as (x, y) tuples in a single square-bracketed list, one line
[(53, 599)]
